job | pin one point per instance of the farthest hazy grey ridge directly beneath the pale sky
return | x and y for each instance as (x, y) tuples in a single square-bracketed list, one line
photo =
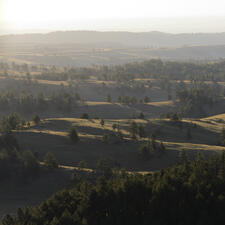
[(144, 39)]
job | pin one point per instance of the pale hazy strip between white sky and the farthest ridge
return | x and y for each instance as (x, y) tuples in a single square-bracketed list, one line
[(166, 25)]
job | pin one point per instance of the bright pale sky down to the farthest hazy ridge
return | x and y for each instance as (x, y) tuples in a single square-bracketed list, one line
[(136, 15)]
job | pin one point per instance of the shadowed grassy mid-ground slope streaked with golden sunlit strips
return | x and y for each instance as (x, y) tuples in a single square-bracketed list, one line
[(51, 135)]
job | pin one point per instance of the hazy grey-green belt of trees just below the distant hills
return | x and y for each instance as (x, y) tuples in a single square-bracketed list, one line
[(154, 68)]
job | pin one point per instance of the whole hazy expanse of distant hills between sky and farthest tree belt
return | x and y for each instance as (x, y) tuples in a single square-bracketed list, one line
[(87, 48)]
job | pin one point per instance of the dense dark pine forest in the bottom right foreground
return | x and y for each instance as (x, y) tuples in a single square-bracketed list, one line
[(188, 193)]
